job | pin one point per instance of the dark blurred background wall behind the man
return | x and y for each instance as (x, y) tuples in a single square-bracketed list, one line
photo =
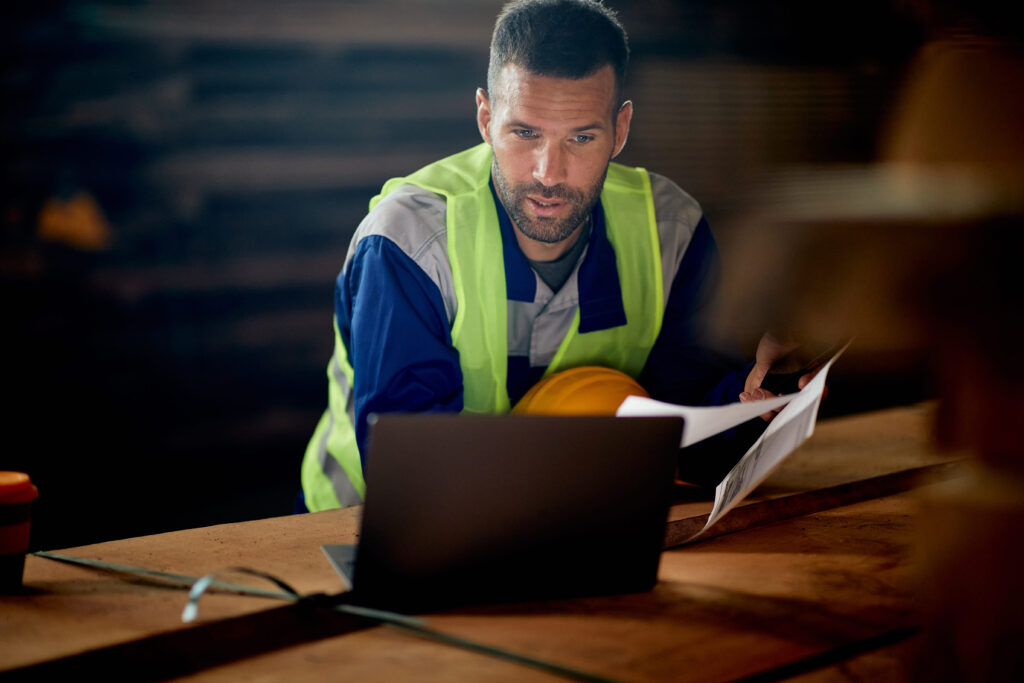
[(172, 378)]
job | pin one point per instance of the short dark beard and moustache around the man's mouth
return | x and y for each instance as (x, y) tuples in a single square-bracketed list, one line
[(549, 231)]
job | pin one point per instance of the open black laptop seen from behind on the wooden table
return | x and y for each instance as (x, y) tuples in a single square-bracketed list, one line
[(465, 510)]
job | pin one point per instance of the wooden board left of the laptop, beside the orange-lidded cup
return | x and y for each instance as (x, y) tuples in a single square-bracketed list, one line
[(69, 610)]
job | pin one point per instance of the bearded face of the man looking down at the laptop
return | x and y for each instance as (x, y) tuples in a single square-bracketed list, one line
[(552, 140)]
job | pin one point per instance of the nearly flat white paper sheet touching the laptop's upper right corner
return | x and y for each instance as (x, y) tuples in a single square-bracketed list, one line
[(702, 422)]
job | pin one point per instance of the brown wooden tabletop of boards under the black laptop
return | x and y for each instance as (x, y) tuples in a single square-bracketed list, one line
[(822, 592)]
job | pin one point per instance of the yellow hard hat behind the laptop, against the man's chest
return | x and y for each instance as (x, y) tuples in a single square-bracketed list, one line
[(587, 391)]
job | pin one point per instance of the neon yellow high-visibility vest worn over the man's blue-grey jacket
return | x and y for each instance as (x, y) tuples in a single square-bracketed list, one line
[(332, 474)]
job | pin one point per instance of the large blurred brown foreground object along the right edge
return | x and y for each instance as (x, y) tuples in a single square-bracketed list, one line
[(919, 255)]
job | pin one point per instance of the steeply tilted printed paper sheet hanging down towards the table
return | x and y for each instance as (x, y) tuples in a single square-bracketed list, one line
[(792, 426)]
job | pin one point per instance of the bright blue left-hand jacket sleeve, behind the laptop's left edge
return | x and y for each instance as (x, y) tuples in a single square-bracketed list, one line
[(393, 322)]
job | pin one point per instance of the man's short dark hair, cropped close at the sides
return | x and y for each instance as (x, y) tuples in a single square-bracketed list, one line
[(560, 38)]
